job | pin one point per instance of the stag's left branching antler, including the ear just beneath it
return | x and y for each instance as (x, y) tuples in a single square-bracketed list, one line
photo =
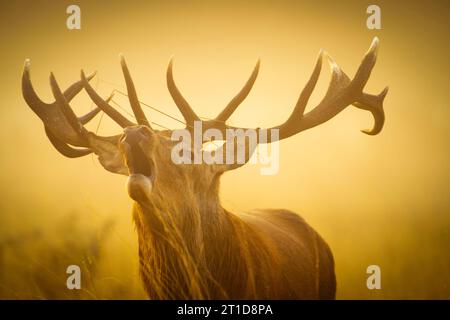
[(64, 128)]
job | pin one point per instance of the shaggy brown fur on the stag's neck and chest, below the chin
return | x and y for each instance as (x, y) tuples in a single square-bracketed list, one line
[(189, 245)]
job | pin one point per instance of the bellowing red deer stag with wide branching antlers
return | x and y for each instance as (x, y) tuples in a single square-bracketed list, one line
[(190, 247)]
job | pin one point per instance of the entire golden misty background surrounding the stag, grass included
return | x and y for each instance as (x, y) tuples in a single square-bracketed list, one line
[(376, 200)]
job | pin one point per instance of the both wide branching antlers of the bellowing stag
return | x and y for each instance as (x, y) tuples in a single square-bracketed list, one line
[(64, 128)]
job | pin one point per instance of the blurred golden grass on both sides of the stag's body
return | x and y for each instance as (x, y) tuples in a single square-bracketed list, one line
[(412, 253)]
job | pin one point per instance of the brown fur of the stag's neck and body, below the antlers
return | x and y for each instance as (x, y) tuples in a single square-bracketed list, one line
[(192, 248)]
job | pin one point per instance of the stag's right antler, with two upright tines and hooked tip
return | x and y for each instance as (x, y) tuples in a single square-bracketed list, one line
[(341, 93)]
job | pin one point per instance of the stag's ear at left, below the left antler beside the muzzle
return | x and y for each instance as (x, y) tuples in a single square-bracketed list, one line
[(109, 155)]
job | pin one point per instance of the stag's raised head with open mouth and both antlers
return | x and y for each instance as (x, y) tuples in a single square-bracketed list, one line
[(144, 154)]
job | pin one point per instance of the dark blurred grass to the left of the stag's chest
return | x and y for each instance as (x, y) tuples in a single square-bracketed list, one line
[(33, 263)]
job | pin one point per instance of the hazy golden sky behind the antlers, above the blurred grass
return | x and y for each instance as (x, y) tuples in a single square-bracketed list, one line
[(328, 174)]
